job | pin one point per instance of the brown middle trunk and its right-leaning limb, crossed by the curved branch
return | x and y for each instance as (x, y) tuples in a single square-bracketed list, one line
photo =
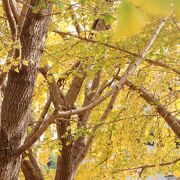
[(64, 166)]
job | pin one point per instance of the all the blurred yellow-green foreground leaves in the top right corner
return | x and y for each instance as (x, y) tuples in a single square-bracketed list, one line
[(132, 15)]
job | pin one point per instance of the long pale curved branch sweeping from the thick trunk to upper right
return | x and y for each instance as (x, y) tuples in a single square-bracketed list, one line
[(131, 68)]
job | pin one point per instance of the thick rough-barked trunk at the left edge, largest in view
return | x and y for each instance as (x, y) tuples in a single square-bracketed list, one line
[(19, 92)]
